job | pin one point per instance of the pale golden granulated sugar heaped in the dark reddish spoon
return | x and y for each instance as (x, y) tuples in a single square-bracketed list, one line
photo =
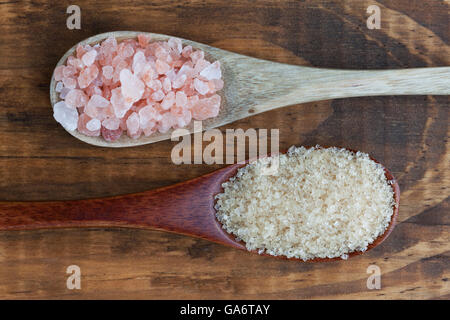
[(322, 203)]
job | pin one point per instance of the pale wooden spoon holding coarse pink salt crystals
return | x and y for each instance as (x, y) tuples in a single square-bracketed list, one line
[(253, 85)]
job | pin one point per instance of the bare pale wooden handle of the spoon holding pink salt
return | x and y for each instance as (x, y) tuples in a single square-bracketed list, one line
[(284, 84)]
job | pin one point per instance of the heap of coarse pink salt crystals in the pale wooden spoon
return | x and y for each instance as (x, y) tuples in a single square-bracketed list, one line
[(136, 87)]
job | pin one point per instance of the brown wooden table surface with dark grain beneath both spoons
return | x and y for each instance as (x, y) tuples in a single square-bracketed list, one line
[(409, 134)]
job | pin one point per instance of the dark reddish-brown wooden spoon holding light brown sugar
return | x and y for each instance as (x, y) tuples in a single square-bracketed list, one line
[(185, 208)]
